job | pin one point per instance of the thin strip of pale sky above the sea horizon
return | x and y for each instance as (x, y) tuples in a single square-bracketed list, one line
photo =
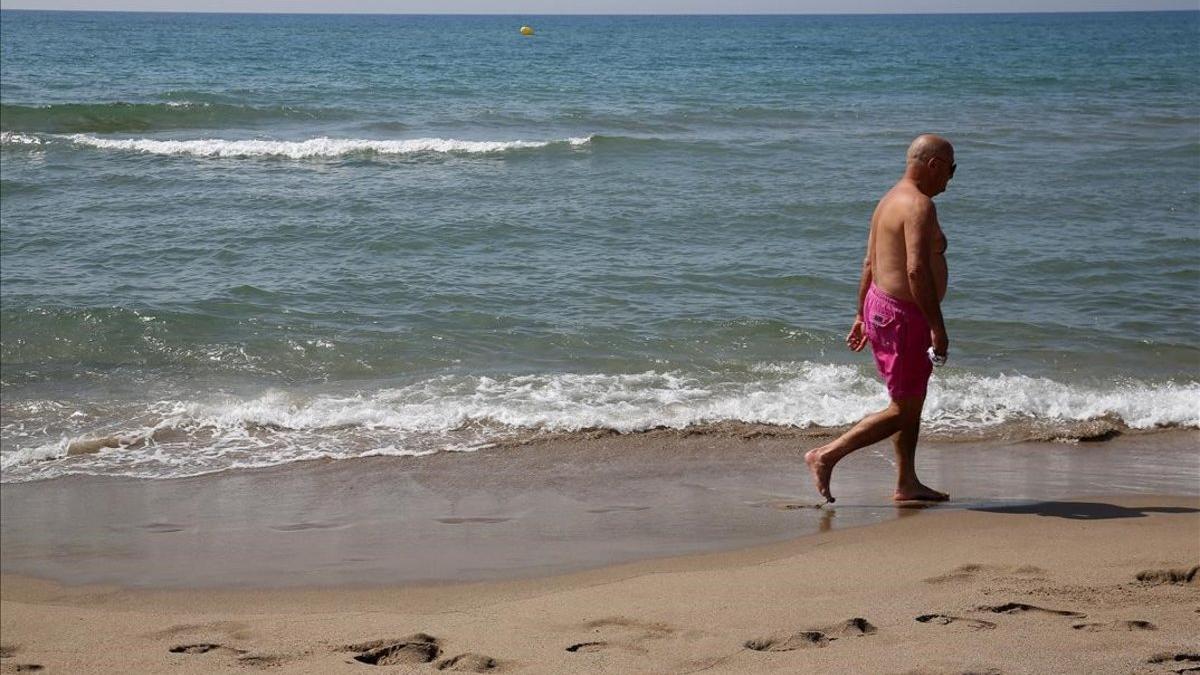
[(607, 7)]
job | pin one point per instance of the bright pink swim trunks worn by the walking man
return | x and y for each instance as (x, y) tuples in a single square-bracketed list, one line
[(899, 337)]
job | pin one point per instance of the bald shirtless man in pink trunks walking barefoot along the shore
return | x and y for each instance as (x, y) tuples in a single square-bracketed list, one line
[(899, 314)]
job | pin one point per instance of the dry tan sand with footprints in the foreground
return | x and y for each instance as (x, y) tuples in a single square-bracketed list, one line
[(1059, 578)]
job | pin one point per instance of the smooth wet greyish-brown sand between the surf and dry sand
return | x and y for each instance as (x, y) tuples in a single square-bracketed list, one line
[(529, 511)]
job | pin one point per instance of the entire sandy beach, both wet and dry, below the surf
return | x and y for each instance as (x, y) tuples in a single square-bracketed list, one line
[(1045, 580)]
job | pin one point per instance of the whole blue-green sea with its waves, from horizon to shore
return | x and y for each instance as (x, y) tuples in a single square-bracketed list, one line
[(243, 241)]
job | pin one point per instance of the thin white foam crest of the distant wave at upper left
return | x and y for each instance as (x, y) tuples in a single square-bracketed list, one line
[(313, 148)]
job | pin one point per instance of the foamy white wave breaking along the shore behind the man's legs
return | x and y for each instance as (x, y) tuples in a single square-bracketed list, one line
[(181, 438)]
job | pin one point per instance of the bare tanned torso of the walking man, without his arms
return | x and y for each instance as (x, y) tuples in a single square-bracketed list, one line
[(890, 260)]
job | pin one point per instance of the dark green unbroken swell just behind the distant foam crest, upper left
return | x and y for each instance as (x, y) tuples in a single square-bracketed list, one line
[(118, 117)]
